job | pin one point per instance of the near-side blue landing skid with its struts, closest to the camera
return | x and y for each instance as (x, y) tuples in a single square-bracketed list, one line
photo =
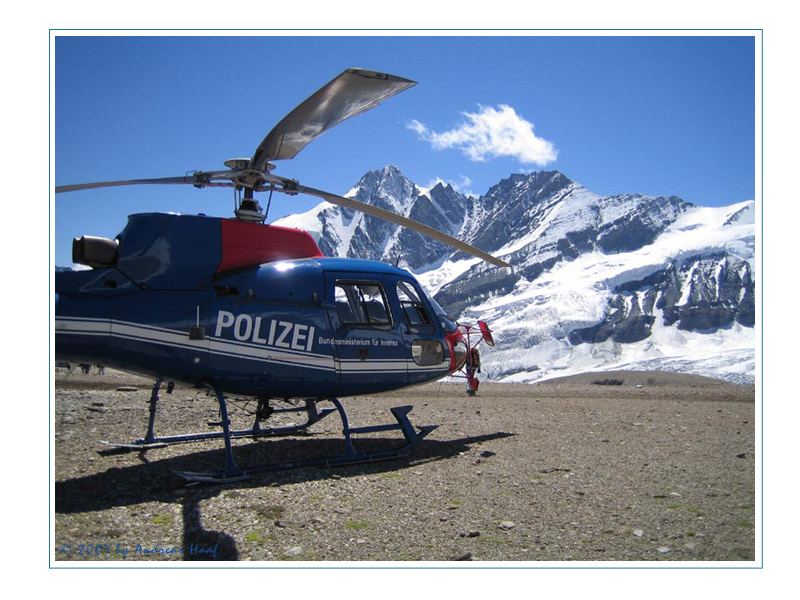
[(232, 472)]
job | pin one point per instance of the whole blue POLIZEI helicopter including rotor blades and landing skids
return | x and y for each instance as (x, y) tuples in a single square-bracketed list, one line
[(244, 308)]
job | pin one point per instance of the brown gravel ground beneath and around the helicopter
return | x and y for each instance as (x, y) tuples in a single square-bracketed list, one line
[(603, 467)]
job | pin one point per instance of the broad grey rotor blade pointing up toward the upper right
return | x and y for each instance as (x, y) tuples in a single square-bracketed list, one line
[(349, 94)]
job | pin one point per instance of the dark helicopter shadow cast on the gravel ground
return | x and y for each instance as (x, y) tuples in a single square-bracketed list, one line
[(156, 480)]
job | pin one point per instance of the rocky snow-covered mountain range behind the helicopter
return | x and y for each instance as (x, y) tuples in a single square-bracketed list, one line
[(598, 282)]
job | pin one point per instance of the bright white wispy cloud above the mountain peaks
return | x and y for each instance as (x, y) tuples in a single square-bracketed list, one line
[(491, 133)]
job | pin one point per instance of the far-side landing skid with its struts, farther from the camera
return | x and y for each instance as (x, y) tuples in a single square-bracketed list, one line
[(150, 440)]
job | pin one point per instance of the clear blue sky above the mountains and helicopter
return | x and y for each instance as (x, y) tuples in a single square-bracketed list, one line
[(671, 115)]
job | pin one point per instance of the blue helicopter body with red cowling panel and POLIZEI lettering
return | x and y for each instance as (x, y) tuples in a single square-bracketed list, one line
[(249, 309)]
